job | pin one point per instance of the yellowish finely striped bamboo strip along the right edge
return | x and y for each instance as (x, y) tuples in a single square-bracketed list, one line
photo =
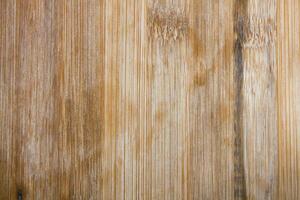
[(288, 86)]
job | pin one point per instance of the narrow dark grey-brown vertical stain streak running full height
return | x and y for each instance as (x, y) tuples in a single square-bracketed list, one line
[(239, 170)]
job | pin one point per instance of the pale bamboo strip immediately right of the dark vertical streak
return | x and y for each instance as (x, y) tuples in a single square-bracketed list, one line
[(259, 131)]
